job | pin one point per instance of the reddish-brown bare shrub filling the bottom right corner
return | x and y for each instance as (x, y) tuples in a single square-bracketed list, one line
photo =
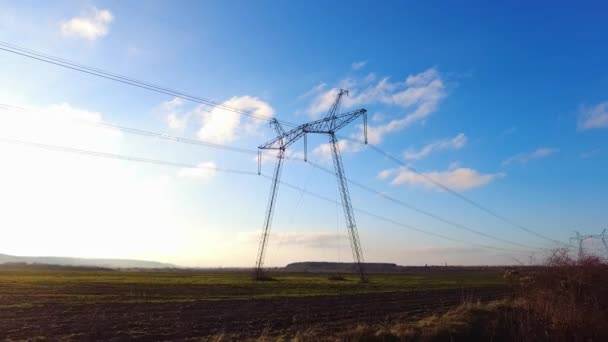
[(567, 300)]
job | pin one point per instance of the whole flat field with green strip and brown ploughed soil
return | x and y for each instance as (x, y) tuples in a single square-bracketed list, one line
[(100, 305)]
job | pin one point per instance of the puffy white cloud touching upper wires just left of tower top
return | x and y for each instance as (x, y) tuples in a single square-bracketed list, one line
[(222, 126)]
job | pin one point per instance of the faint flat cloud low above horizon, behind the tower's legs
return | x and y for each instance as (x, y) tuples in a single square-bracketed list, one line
[(304, 239)]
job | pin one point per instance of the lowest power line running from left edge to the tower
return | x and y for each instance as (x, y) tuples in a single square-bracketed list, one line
[(121, 157)]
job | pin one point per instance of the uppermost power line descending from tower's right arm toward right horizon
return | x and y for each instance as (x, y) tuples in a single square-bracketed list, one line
[(455, 193)]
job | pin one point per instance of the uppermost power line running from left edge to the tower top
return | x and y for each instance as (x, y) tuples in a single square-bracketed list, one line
[(39, 56)]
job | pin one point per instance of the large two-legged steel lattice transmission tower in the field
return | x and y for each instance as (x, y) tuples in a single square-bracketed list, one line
[(328, 126)]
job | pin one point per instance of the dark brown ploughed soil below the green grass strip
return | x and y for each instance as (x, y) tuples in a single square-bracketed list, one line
[(234, 319)]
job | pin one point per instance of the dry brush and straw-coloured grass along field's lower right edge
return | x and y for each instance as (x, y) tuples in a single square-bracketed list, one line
[(564, 300)]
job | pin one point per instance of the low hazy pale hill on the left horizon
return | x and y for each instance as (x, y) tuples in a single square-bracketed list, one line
[(64, 261)]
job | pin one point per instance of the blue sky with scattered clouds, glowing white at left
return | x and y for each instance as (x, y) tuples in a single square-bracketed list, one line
[(506, 103)]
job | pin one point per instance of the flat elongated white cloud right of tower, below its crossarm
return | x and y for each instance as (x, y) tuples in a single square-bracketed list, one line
[(458, 178)]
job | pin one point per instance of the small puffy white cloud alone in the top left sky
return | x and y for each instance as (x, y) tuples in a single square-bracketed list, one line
[(91, 27)]
